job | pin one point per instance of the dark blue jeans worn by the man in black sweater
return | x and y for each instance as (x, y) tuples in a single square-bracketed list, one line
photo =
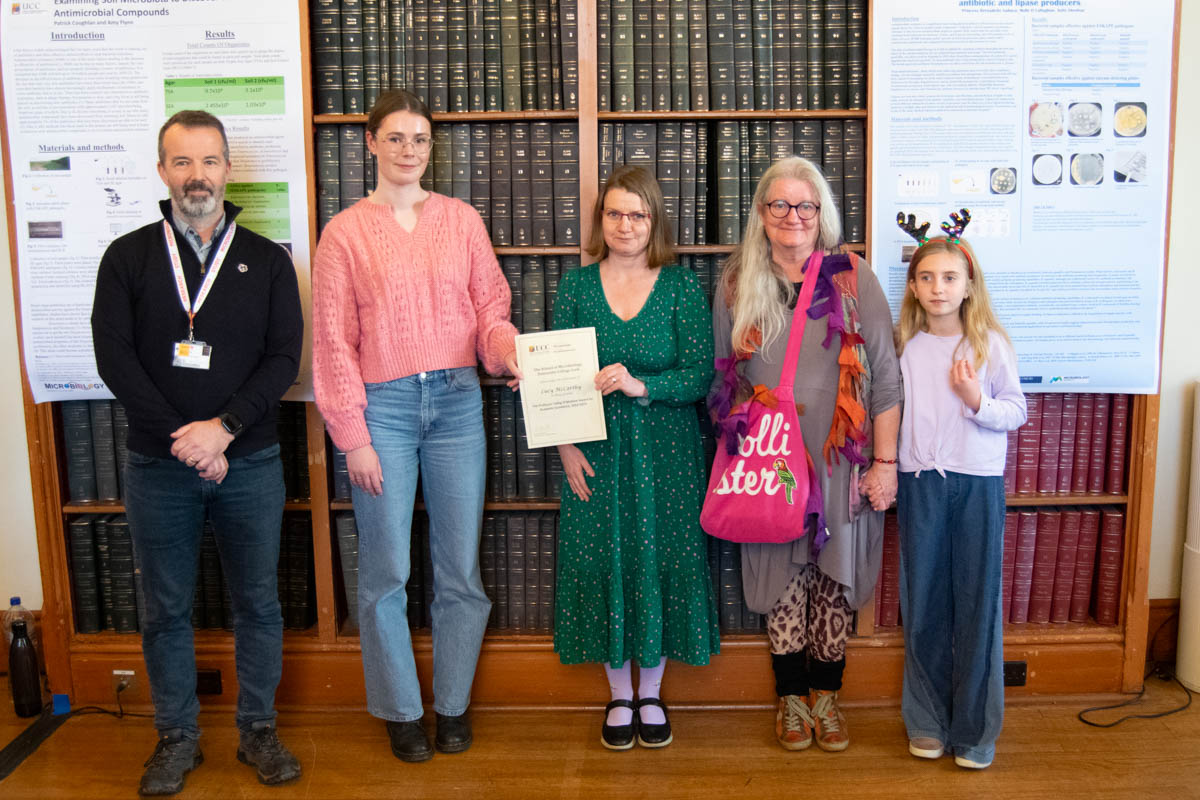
[(166, 503)]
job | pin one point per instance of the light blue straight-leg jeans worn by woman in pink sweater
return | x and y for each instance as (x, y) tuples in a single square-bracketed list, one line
[(434, 423)]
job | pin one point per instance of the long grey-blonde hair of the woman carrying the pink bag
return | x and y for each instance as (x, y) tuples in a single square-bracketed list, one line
[(757, 290)]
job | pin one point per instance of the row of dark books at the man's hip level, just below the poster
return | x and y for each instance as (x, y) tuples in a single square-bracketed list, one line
[(95, 435)]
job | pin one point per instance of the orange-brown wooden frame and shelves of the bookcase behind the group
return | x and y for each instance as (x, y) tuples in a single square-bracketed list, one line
[(322, 666)]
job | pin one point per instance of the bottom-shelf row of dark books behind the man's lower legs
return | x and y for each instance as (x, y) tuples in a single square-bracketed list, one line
[(106, 578)]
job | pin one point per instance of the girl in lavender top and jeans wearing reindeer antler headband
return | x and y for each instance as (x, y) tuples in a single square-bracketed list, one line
[(962, 396)]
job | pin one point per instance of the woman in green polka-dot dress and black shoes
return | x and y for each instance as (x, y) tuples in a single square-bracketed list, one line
[(633, 573)]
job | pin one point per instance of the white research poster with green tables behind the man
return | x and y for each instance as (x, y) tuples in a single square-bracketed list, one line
[(87, 86)]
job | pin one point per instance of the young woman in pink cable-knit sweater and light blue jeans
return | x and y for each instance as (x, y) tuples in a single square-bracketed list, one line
[(407, 294)]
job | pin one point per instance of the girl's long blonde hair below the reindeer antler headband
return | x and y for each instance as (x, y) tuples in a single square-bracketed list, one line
[(975, 314)]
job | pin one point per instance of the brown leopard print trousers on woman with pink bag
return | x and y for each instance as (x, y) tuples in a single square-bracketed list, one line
[(812, 615)]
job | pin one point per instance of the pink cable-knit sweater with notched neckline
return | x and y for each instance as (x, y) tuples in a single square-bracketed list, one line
[(389, 304)]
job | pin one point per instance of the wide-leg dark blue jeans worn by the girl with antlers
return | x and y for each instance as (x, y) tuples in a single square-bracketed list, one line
[(952, 532)]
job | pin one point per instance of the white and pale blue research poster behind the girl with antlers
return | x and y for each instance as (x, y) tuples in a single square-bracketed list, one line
[(1049, 121)]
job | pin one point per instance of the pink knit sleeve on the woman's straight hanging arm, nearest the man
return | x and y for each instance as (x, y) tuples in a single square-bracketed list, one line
[(337, 375)]
